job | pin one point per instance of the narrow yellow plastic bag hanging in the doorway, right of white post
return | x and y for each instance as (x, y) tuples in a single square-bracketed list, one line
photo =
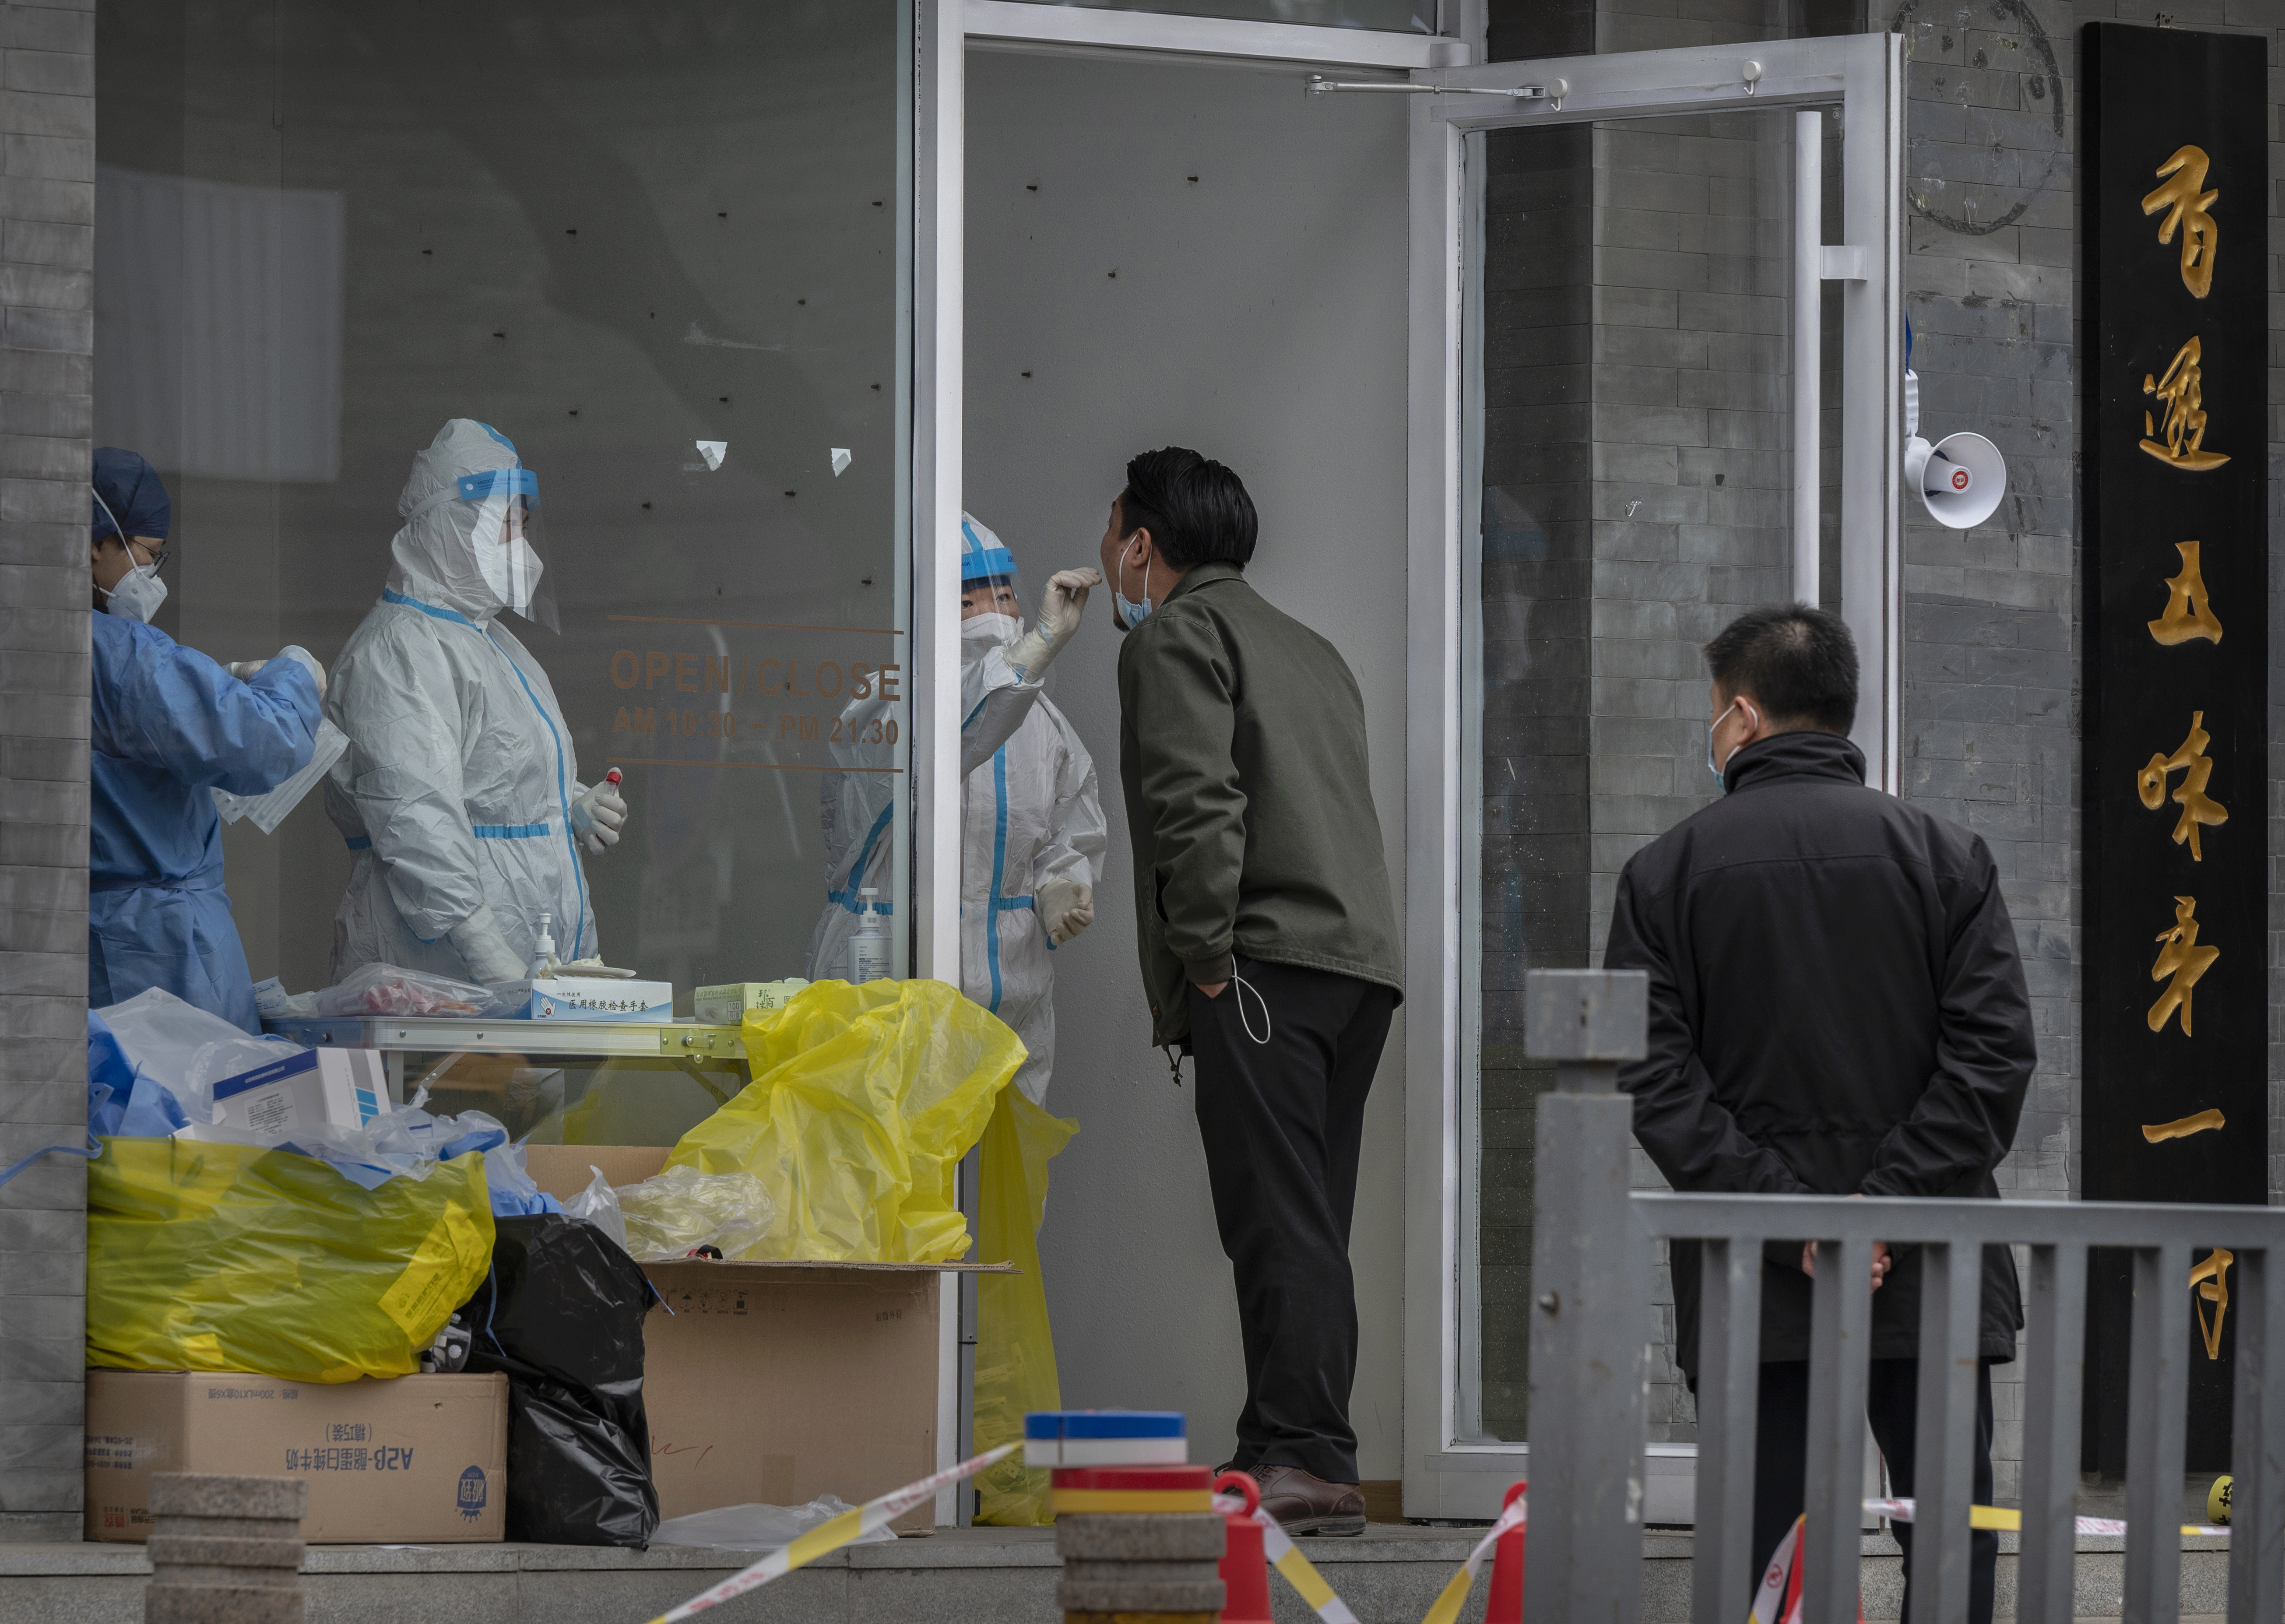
[(1016, 1351)]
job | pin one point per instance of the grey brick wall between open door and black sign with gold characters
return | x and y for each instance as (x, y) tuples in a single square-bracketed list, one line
[(1991, 613)]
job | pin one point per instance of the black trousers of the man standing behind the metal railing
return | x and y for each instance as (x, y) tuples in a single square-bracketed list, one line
[(1893, 1410)]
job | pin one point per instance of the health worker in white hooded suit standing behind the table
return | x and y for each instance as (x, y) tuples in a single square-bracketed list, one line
[(460, 791)]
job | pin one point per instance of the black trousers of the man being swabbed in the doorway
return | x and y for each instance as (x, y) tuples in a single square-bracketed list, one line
[(1283, 1125)]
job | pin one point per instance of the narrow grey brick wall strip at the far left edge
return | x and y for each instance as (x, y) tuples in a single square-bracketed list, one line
[(47, 344)]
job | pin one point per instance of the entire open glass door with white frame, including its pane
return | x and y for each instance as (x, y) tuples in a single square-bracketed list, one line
[(1662, 399)]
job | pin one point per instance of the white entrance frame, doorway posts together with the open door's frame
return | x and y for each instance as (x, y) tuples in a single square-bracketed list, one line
[(1445, 1474)]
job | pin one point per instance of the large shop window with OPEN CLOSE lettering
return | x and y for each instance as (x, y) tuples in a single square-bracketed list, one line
[(659, 248)]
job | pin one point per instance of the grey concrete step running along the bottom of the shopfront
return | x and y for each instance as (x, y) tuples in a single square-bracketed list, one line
[(956, 1577)]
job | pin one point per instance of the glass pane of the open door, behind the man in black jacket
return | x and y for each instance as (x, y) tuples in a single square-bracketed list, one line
[(1633, 401)]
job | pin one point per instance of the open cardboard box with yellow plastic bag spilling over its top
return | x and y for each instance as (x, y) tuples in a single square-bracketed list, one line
[(778, 1383)]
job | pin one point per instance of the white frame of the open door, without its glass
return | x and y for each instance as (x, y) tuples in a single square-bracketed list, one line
[(1448, 1472)]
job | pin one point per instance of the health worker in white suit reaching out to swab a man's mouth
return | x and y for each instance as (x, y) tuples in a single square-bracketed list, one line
[(1032, 819)]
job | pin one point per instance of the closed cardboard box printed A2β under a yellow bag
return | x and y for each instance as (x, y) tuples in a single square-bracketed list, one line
[(417, 1461)]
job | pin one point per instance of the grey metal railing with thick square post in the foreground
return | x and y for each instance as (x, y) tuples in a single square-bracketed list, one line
[(1592, 1287)]
